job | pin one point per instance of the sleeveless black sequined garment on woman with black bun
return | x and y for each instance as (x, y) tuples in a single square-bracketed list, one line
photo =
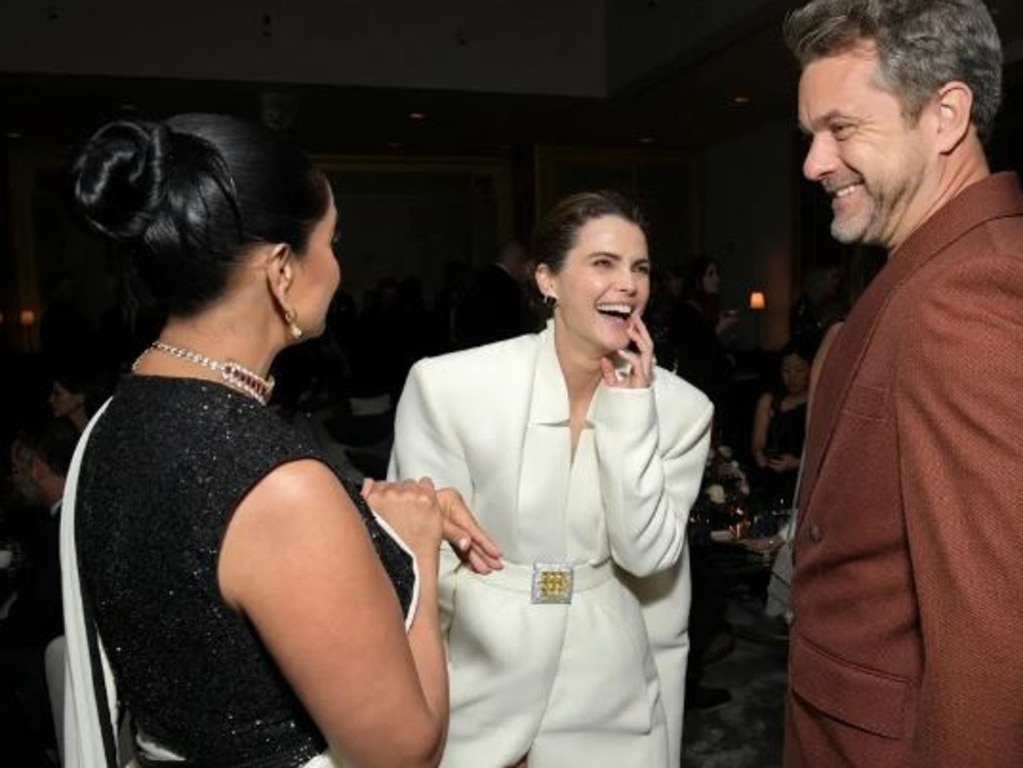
[(164, 471)]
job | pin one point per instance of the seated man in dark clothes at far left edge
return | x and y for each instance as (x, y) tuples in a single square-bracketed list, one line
[(40, 458)]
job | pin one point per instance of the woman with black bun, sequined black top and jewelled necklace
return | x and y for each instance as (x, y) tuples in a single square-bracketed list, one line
[(254, 608)]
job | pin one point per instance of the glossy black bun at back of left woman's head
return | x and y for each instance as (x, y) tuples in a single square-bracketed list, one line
[(118, 178)]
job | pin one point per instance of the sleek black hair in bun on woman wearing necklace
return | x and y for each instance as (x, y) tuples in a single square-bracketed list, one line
[(190, 196)]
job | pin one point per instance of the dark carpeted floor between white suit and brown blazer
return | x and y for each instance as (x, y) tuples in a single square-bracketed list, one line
[(746, 733)]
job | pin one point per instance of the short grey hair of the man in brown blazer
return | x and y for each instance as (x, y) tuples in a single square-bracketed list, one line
[(921, 46)]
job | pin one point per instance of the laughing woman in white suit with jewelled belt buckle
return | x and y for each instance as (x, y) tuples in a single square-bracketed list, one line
[(582, 460)]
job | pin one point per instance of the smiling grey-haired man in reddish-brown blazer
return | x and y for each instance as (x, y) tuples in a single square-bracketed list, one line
[(904, 651)]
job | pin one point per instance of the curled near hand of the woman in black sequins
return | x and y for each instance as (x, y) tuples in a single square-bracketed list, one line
[(411, 508)]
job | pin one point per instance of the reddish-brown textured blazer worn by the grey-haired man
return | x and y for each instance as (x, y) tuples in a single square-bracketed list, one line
[(907, 648)]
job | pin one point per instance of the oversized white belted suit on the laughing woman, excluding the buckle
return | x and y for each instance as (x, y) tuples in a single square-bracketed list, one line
[(494, 423)]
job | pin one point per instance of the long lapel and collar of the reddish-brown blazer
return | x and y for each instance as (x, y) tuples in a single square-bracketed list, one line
[(997, 197)]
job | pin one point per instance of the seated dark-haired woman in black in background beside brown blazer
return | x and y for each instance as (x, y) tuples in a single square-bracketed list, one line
[(780, 427)]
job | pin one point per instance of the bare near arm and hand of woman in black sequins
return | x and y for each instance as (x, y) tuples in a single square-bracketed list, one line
[(298, 562)]
